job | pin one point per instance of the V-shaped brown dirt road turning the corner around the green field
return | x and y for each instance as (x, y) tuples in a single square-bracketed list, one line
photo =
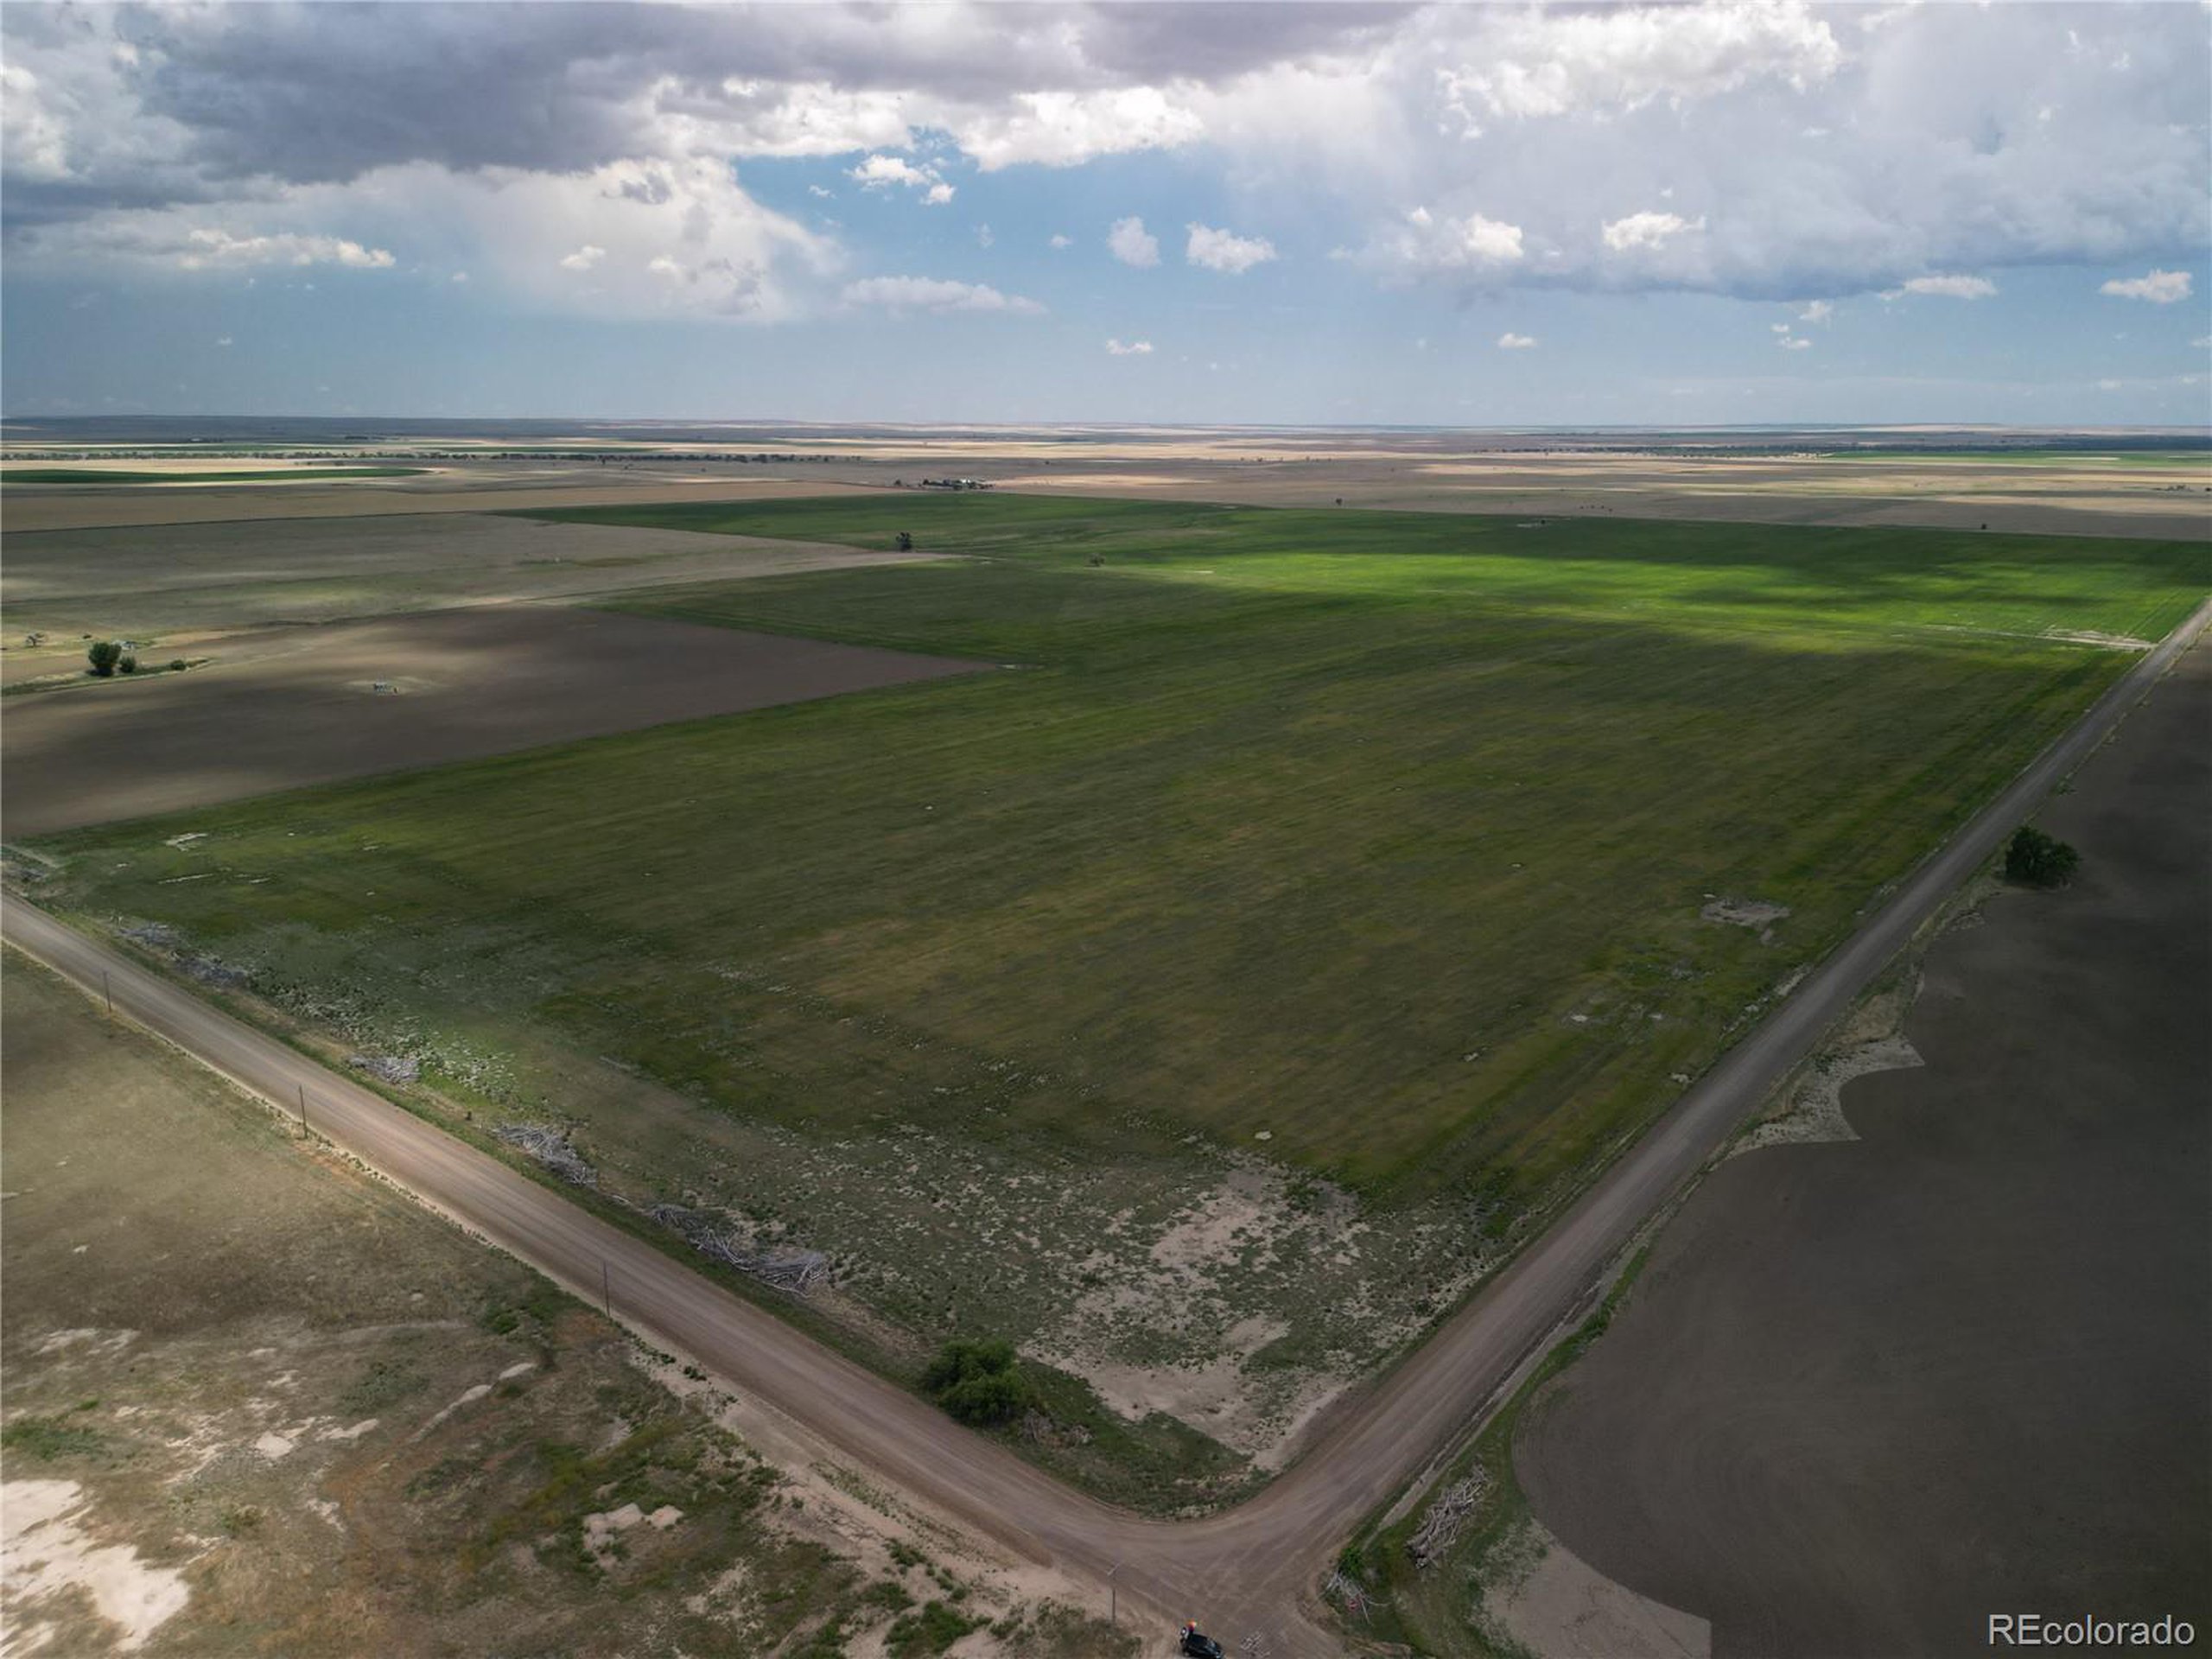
[(1249, 1572)]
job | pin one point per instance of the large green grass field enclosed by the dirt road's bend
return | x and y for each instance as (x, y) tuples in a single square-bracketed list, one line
[(1370, 844)]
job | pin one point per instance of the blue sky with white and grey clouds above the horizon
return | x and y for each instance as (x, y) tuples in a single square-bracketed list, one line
[(1700, 213)]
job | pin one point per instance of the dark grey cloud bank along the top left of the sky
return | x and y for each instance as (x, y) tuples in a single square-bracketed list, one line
[(320, 94)]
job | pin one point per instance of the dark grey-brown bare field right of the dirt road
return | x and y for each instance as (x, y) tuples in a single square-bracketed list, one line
[(1872, 1392)]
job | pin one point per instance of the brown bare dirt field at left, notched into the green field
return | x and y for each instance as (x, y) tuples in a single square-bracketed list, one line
[(470, 685)]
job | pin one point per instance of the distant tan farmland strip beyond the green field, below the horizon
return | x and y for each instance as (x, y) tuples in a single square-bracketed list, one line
[(2056, 494)]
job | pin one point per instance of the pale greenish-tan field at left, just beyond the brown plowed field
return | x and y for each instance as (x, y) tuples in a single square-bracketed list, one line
[(191, 589)]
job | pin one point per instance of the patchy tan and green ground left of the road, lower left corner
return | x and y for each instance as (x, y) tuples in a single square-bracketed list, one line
[(262, 1404)]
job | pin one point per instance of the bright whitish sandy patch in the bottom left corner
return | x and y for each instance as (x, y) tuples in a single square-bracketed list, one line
[(48, 1554)]
